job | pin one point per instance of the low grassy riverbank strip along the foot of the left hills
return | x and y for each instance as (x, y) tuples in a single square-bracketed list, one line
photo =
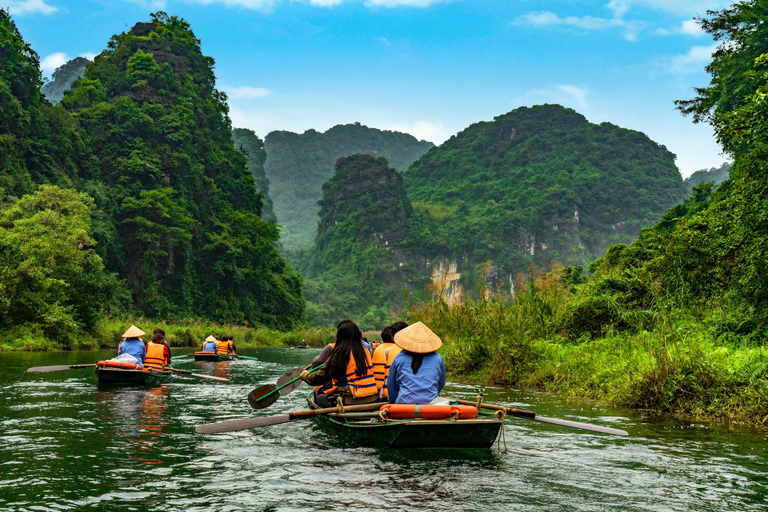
[(181, 333)]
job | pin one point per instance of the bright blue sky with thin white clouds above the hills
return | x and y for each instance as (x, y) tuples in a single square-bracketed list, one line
[(427, 67)]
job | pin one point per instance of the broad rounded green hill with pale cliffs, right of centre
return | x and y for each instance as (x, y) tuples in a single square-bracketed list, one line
[(536, 185)]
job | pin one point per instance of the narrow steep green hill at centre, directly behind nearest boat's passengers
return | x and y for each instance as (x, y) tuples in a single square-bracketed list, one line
[(355, 268)]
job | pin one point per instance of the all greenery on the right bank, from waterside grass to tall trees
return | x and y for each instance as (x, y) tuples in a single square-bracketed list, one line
[(677, 320)]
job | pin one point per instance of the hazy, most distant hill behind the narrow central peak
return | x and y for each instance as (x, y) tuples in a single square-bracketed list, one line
[(298, 165)]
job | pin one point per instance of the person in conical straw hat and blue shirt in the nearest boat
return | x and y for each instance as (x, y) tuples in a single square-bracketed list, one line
[(417, 374)]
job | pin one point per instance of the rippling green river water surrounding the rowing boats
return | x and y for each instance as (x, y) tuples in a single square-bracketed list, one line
[(68, 444)]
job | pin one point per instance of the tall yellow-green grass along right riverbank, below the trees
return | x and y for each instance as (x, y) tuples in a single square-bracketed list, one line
[(682, 367)]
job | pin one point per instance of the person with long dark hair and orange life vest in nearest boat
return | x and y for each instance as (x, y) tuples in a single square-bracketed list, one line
[(348, 372)]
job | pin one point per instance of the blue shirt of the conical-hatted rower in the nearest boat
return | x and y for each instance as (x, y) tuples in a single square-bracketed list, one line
[(404, 387)]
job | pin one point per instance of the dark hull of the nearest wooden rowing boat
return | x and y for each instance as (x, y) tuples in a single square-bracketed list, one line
[(357, 428)]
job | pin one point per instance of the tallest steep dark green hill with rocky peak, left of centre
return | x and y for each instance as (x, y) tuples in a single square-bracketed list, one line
[(179, 214)]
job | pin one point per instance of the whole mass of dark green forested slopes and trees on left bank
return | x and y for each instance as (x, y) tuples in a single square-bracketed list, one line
[(129, 197)]
